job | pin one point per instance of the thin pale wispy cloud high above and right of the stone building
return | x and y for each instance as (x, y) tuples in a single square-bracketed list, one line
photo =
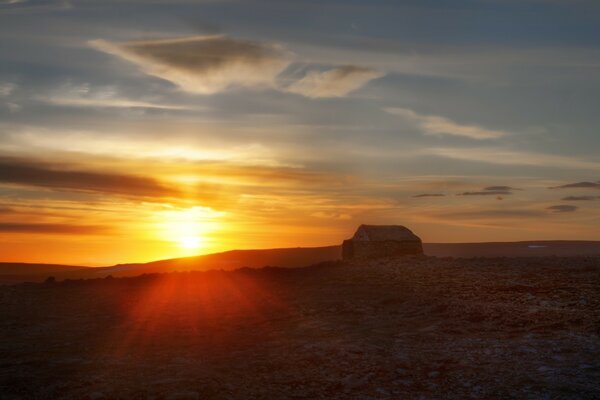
[(437, 125)]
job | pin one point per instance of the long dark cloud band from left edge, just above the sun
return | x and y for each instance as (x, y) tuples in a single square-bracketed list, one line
[(32, 173)]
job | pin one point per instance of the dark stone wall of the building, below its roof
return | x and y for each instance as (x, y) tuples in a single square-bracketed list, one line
[(352, 249)]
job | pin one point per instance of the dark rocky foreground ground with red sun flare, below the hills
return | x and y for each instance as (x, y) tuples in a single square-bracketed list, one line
[(382, 329)]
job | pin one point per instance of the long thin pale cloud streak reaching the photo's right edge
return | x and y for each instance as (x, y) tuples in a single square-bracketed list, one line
[(499, 156)]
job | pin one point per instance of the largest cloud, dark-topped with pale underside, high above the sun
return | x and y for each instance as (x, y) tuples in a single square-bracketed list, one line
[(204, 64)]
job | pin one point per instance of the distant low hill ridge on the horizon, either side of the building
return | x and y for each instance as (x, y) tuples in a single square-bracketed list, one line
[(288, 258)]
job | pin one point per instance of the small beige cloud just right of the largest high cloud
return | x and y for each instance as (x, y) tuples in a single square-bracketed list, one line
[(336, 82)]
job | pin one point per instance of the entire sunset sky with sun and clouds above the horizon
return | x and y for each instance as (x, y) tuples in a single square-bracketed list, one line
[(139, 130)]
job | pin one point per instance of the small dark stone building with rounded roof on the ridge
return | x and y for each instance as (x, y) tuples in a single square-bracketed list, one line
[(374, 241)]
